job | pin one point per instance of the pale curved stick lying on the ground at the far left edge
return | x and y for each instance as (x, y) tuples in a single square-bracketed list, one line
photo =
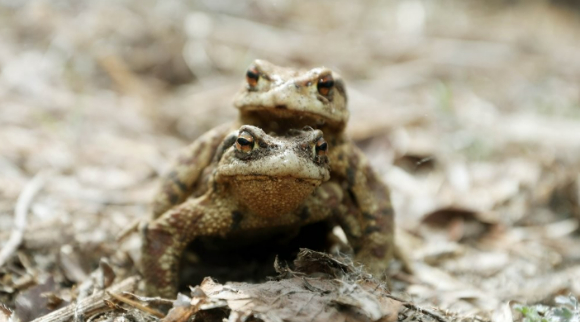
[(20, 214)]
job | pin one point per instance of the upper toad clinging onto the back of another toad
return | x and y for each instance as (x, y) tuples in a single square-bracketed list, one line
[(277, 99)]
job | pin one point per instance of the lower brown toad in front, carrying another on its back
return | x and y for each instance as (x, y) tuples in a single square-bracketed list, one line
[(261, 185)]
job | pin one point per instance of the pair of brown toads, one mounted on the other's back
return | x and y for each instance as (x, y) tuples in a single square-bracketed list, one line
[(271, 172)]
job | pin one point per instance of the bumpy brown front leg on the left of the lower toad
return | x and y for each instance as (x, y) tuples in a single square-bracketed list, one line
[(165, 239)]
